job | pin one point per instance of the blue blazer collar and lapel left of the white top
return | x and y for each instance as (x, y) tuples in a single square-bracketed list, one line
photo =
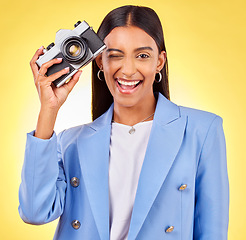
[(93, 148)]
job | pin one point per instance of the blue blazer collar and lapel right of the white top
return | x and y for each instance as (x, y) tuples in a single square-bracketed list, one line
[(164, 143)]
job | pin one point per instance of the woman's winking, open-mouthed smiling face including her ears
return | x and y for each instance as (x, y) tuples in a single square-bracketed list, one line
[(130, 63)]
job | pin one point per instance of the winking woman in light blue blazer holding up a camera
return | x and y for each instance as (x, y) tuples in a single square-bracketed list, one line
[(145, 168)]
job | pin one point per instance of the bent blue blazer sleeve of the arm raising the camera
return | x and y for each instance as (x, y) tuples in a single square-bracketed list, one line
[(43, 185)]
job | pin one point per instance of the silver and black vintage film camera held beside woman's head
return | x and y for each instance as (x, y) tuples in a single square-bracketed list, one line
[(76, 47)]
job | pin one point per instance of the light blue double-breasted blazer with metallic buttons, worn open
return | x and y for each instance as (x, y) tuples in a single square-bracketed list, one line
[(182, 192)]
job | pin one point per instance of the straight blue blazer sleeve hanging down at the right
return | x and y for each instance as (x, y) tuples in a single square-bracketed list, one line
[(212, 187)]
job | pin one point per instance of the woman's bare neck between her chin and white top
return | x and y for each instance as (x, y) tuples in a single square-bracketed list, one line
[(134, 114)]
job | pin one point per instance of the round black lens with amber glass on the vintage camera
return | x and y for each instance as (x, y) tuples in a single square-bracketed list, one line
[(74, 49)]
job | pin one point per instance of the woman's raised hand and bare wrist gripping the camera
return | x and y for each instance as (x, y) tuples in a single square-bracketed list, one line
[(51, 98)]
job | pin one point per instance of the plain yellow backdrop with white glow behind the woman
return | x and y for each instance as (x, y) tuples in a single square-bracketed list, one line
[(206, 51)]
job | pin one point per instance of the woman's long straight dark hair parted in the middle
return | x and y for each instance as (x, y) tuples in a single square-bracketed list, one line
[(144, 18)]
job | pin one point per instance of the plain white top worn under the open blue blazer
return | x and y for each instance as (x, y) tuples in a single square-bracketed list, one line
[(127, 153)]
